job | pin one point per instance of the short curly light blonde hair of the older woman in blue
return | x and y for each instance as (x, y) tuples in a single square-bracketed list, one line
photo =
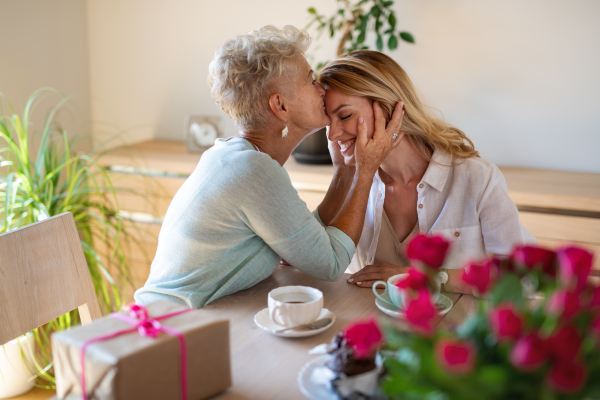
[(243, 74)]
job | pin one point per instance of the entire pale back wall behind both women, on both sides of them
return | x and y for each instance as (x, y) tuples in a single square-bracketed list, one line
[(519, 77)]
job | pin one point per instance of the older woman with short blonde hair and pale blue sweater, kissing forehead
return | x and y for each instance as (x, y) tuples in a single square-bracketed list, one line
[(237, 214)]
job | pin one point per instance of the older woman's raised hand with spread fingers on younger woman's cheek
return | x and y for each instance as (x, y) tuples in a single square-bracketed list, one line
[(370, 153)]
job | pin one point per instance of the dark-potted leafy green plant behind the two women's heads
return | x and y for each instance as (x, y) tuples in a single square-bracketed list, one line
[(354, 20)]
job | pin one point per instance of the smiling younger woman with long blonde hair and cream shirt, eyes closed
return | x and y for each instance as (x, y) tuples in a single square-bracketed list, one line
[(433, 182)]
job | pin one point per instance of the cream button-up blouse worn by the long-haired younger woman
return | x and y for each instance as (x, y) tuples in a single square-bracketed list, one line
[(466, 201)]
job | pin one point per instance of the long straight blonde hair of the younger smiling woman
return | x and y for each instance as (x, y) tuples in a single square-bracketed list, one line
[(378, 77)]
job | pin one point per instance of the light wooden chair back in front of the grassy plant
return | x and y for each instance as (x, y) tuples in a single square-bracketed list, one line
[(43, 275)]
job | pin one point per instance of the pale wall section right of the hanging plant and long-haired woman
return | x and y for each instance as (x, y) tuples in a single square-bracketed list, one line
[(521, 78)]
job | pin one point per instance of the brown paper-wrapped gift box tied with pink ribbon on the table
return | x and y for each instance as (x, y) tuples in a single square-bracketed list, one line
[(162, 351)]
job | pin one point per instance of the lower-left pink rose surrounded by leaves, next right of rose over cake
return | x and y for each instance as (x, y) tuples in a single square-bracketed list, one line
[(456, 357)]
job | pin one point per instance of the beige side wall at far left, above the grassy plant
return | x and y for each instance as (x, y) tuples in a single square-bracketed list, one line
[(44, 44)]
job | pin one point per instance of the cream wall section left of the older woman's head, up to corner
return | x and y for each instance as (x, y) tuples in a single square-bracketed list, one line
[(149, 60)]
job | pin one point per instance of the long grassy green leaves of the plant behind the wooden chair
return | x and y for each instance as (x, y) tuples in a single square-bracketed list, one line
[(41, 175)]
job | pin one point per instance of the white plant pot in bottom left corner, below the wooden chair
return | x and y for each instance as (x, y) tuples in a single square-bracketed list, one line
[(15, 378)]
